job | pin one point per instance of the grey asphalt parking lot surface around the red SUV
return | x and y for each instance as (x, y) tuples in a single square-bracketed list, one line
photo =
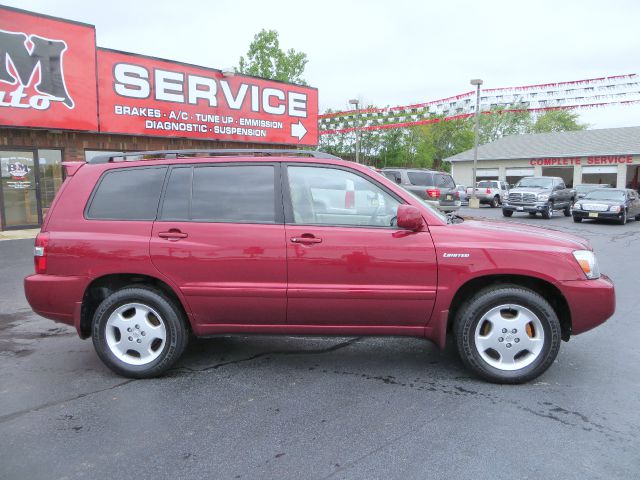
[(270, 407)]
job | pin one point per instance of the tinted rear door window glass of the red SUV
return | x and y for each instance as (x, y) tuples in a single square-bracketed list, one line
[(240, 194)]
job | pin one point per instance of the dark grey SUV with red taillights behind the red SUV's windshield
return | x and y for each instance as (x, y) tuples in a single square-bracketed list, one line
[(436, 188)]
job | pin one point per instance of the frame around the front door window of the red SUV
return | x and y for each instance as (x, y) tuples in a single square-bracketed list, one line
[(288, 205)]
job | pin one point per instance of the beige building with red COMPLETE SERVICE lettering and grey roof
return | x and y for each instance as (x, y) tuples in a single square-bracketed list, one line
[(609, 155)]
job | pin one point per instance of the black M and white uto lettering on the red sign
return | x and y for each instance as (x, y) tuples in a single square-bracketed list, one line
[(31, 60)]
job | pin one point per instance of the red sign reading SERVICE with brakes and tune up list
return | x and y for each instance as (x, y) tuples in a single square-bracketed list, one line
[(147, 96)]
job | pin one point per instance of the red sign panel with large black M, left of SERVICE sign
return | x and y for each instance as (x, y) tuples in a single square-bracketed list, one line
[(47, 72)]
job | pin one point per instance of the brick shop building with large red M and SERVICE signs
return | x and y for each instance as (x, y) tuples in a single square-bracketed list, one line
[(64, 99)]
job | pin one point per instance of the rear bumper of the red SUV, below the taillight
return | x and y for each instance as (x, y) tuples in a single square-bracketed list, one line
[(56, 297)]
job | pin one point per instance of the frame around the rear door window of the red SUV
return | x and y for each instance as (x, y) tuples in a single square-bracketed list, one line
[(277, 186)]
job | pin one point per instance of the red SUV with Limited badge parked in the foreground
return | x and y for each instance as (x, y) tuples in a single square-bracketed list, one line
[(139, 252)]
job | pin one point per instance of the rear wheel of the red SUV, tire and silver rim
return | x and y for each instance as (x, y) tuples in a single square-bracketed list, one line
[(139, 332)]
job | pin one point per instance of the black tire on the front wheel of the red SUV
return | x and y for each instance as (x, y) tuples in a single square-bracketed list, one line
[(474, 311)]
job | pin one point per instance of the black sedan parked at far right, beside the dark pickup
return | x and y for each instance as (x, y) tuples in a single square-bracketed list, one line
[(608, 204)]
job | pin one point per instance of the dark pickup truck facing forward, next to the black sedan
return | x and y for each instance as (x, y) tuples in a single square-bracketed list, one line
[(542, 195)]
